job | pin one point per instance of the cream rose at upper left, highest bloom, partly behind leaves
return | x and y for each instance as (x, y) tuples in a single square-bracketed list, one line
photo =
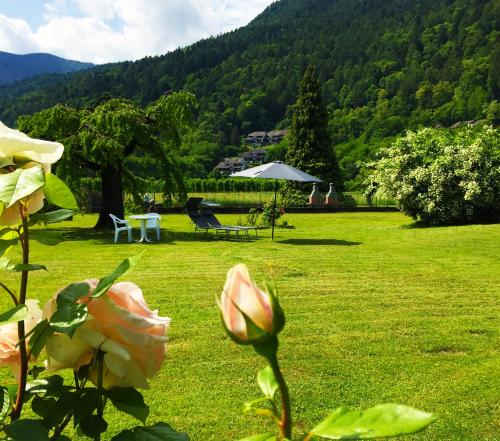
[(18, 150)]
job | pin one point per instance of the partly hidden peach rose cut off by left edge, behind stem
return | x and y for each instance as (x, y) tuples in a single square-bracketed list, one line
[(9, 338)]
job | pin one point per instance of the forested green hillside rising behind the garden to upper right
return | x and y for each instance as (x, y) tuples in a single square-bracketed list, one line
[(386, 65)]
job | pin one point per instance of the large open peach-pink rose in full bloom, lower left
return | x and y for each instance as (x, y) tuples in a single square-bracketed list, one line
[(121, 325)]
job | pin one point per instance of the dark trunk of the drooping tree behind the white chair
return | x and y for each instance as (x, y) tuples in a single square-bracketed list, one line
[(112, 196)]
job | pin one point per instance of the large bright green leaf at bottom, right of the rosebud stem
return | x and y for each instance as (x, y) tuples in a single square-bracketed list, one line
[(383, 420)]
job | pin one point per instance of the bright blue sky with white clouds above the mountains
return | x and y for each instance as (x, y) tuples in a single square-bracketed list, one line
[(103, 31)]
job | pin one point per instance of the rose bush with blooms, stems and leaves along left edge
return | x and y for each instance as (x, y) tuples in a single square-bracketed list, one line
[(102, 330)]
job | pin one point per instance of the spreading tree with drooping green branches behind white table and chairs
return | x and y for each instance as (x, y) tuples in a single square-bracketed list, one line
[(101, 140)]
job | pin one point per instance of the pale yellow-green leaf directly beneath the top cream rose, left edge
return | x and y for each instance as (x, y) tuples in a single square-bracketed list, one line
[(20, 183)]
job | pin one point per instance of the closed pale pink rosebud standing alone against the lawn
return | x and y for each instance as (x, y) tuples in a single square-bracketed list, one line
[(249, 314)]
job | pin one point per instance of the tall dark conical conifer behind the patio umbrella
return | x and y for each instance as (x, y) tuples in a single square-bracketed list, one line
[(309, 144)]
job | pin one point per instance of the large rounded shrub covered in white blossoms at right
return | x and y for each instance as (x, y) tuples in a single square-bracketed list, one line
[(443, 177)]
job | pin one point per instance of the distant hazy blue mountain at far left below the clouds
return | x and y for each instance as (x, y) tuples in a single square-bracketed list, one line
[(18, 67)]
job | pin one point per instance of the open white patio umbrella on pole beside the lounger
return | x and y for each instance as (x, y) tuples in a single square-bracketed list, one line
[(276, 170)]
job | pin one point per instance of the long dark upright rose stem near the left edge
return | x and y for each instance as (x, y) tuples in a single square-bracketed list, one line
[(23, 355)]
